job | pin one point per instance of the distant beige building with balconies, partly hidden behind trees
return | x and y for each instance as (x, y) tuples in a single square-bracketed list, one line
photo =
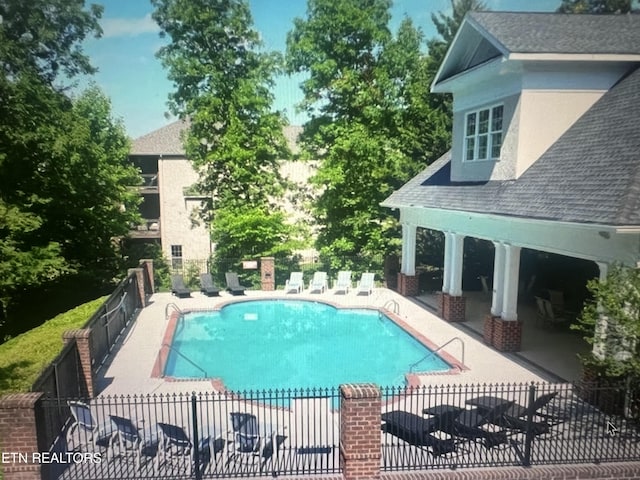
[(170, 203)]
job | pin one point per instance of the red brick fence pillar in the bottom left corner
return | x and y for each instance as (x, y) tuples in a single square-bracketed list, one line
[(20, 415)]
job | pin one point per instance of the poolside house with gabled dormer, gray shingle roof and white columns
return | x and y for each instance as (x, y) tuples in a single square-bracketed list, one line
[(545, 153)]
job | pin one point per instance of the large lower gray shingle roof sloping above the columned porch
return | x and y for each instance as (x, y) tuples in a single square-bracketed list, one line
[(590, 175)]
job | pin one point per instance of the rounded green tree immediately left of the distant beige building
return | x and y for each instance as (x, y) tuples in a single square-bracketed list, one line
[(88, 178)]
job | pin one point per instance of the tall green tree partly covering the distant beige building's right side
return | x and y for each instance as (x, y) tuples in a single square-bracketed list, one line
[(222, 82)]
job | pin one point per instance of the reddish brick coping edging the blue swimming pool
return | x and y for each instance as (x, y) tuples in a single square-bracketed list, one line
[(412, 378)]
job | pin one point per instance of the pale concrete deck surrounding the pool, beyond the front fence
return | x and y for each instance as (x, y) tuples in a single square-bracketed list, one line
[(129, 369)]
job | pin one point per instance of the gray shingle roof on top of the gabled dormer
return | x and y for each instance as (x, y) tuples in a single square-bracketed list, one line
[(562, 33)]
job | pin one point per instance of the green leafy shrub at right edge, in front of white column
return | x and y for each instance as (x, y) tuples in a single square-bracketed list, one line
[(611, 322)]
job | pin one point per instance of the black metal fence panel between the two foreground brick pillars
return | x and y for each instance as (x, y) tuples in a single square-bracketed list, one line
[(195, 435)]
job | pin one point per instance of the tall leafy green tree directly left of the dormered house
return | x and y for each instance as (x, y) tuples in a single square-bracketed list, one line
[(373, 122)]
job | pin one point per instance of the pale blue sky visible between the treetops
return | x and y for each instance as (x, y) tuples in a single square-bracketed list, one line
[(137, 84)]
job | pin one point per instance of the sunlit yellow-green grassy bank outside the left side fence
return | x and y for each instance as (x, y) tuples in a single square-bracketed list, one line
[(24, 357)]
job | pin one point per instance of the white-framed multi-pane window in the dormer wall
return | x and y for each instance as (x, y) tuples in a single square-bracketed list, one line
[(483, 134)]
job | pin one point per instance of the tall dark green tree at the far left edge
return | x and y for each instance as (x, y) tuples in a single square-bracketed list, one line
[(40, 47)]
